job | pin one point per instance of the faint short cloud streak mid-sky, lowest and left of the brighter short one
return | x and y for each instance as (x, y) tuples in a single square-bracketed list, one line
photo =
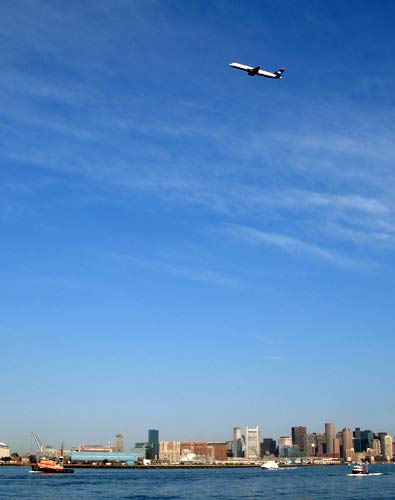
[(205, 276)]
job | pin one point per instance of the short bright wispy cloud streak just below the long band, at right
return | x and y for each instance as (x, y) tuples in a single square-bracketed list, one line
[(289, 244)]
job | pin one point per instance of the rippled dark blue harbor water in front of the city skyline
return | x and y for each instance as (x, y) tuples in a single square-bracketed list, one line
[(301, 483)]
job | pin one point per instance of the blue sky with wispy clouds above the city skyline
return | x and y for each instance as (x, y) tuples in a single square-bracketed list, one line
[(184, 247)]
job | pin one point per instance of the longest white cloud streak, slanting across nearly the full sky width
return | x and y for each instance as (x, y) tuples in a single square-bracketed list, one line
[(222, 195)]
